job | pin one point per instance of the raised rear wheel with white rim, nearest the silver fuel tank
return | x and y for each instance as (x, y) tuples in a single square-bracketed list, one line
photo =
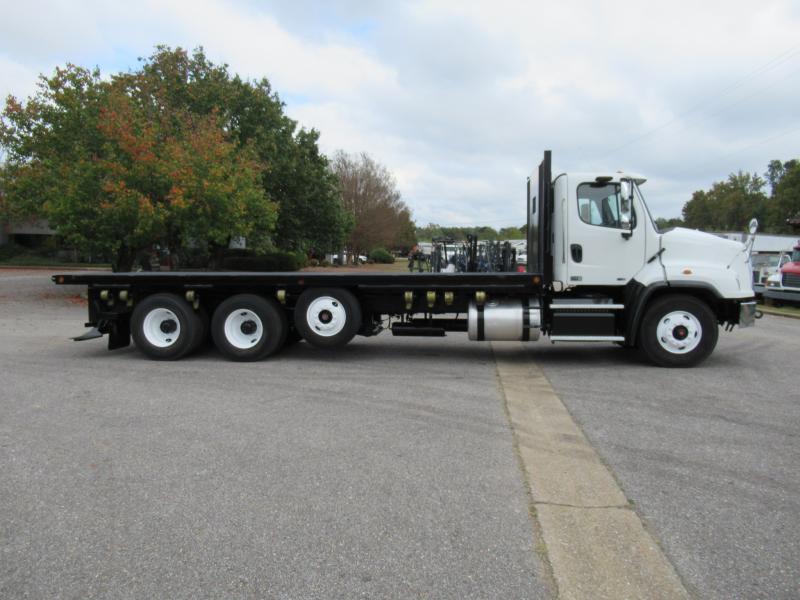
[(327, 318)]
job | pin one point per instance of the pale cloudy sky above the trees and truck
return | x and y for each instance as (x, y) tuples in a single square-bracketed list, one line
[(458, 99)]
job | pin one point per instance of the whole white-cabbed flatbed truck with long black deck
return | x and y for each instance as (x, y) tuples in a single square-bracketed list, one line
[(598, 270)]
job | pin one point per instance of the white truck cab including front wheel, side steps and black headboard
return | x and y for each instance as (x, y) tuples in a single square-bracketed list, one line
[(609, 269)]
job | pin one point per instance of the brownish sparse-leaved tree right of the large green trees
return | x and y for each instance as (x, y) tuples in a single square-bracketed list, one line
[(370, 195)]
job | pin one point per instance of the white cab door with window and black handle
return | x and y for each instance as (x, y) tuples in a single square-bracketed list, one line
[(606, 245)]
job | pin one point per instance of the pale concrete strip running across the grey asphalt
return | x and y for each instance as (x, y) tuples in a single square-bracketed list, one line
[(596, 544)]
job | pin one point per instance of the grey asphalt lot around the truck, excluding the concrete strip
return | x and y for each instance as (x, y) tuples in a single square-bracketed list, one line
[(387, 469)]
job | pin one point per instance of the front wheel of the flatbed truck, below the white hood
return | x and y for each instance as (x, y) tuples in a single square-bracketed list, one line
[(678, 331)]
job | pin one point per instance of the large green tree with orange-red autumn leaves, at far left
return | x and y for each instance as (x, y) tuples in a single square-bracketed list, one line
[(115, 170)]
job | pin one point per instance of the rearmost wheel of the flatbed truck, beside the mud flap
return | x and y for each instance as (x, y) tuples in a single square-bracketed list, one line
[(164, 327)]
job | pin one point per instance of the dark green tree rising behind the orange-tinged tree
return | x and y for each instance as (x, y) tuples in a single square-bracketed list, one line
[(294, 172)]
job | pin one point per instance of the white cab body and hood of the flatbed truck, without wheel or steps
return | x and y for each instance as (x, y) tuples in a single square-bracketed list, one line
[(603, 235)]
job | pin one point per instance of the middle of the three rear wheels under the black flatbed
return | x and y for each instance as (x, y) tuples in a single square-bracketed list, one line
[(248, 327)]
